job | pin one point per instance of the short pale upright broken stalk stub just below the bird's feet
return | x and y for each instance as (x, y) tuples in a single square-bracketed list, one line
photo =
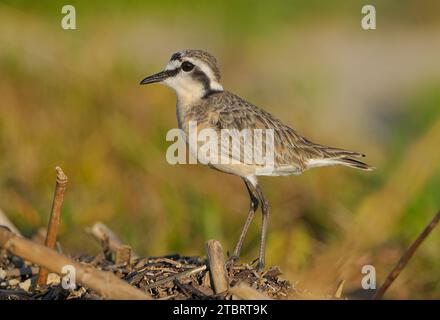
[(217, 268)]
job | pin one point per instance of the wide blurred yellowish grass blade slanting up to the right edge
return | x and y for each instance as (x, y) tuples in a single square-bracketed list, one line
[(377, 214)]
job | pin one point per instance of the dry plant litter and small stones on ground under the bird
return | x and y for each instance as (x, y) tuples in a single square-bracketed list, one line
[(168, 277)]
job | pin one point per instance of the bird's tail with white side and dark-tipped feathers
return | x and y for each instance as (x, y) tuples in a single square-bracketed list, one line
[(334, 156)]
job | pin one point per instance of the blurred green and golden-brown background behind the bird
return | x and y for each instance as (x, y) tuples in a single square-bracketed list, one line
[(71, 98)]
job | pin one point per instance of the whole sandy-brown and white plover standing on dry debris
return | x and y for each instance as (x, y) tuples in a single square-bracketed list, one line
[(195, 77)]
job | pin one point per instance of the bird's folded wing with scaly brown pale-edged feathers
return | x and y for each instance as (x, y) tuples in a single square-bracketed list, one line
[(291, 150)]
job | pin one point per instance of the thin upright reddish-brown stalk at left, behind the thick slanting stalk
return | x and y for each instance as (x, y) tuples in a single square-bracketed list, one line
[(55, 215)]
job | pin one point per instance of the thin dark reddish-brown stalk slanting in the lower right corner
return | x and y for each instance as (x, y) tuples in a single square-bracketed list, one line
[(406, 257)]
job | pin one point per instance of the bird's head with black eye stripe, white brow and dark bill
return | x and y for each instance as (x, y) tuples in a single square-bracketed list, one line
[(191, 73)]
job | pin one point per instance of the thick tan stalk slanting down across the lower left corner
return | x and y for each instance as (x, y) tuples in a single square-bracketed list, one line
[(104, 283)]
